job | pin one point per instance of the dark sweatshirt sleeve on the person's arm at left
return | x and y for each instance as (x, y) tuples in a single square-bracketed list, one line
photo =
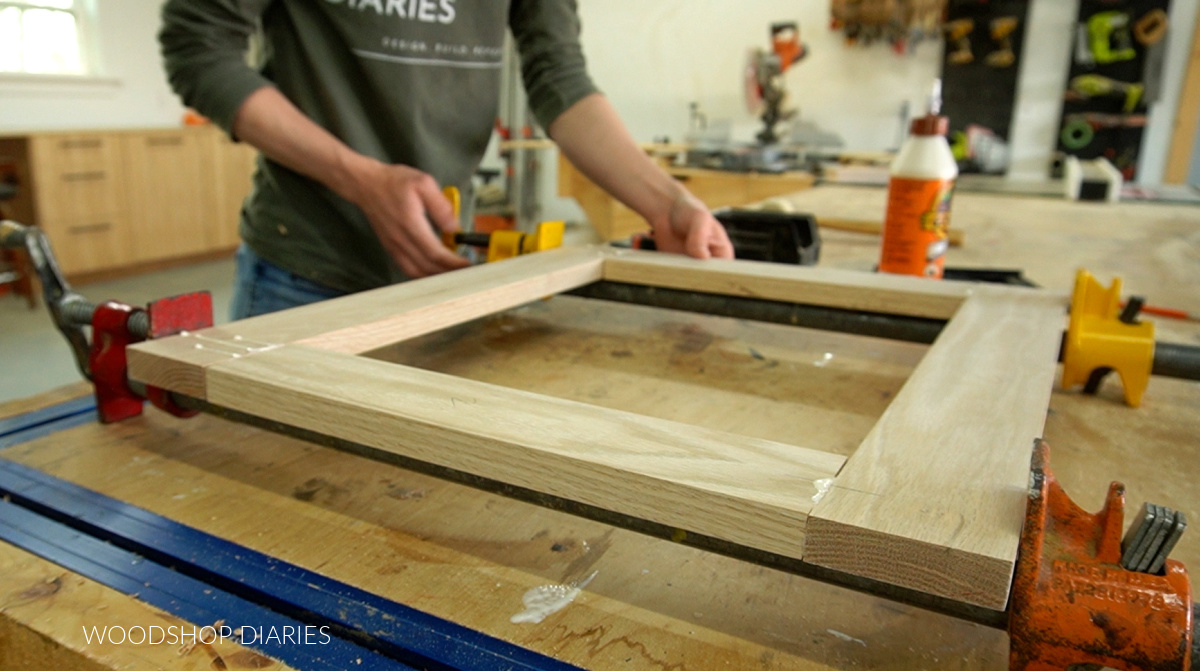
[(205, 46)]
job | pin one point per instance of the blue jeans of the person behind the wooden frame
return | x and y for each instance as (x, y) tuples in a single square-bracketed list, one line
[(262, 287)]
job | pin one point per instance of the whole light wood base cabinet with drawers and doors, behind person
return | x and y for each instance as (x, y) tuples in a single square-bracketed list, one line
[(121, 200)]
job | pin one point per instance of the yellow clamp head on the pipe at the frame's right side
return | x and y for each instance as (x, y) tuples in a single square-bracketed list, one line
[(1099, 339)]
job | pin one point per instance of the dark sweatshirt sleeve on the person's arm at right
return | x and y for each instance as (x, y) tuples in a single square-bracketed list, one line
[(553, 65)]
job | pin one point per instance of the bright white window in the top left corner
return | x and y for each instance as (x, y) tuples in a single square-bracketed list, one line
[(43, 37)]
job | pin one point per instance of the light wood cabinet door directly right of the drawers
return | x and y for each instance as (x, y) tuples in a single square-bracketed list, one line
[(170, 194)]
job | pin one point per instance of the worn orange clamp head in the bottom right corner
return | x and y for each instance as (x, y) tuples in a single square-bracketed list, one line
[(1073, 602)]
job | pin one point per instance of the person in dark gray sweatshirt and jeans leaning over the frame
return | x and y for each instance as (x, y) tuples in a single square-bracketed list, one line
[(364, 109)]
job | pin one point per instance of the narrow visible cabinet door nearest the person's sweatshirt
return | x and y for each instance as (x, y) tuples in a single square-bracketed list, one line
[(232, 170)]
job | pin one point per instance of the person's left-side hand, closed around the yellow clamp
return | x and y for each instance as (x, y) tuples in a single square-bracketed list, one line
[(400, 203)]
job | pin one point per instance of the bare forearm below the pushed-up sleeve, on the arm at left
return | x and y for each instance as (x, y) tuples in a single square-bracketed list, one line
[(271, 123)]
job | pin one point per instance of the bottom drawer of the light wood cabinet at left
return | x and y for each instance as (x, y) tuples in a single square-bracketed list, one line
[(89, 244)]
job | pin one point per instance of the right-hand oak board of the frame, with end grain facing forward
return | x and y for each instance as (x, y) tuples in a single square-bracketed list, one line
[(934, 499)]
